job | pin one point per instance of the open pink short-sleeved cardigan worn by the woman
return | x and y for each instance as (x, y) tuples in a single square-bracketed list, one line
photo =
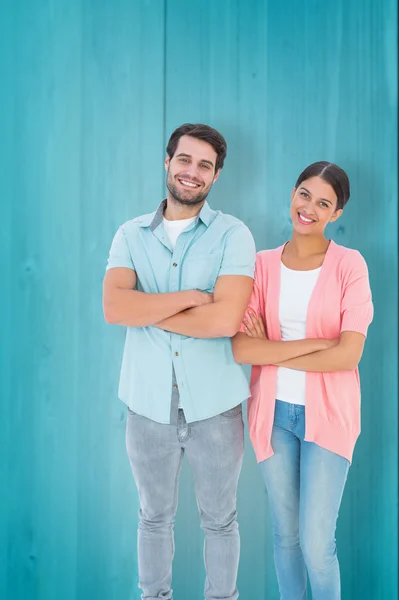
[(341, 301)]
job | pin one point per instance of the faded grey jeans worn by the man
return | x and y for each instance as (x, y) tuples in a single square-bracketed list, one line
[(214, 449)]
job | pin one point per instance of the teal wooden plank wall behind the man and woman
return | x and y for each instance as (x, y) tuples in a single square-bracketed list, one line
[(90, 91)]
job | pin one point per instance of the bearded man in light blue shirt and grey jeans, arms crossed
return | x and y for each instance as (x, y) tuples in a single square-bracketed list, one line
[(180, 279)]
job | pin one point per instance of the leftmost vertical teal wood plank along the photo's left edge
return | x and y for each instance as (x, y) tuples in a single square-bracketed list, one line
[(41, 544)]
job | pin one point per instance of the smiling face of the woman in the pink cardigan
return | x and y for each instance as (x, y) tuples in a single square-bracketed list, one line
[(313, 206)]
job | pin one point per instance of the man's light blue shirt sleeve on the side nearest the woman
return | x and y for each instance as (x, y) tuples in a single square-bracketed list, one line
[(239, 254)]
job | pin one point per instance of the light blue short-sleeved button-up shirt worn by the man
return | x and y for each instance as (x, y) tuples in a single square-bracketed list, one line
[(208, 379)]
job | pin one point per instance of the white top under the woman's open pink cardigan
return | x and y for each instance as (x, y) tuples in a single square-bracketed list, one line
[(296, 289)]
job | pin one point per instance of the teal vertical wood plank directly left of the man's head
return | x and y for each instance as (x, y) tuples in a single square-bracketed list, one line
[(122, 177)]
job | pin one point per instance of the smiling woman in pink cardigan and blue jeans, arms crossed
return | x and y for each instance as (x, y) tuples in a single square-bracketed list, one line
[(304, 332)]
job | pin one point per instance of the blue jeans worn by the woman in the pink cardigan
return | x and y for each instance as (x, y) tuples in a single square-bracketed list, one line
[(304, 484)]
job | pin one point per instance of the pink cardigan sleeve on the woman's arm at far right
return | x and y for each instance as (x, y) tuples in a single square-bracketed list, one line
[(356, 304)]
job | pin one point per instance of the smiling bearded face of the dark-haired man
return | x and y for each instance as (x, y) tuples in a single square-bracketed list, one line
[(191, 171)]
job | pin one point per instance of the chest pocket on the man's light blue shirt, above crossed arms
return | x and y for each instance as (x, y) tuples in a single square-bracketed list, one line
[(200, 272)]
